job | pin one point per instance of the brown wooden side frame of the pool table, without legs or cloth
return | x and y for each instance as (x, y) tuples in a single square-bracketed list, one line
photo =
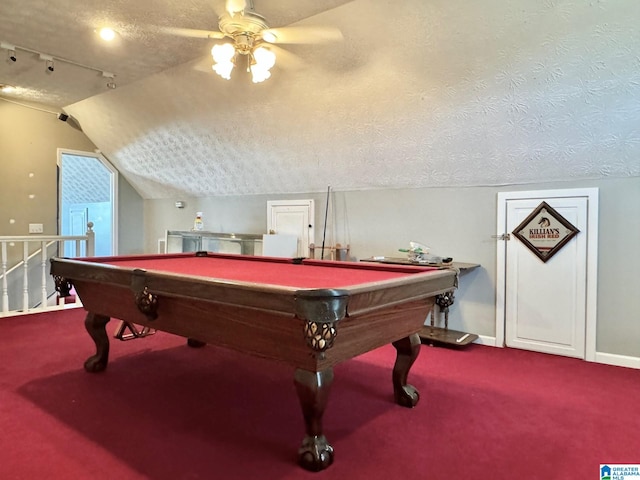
[(259, 319)]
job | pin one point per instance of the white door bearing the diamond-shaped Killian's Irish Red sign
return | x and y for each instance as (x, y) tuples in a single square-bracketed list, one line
[(549, 306)]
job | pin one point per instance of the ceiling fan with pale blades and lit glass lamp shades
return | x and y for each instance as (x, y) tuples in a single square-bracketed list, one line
[(253, 39)]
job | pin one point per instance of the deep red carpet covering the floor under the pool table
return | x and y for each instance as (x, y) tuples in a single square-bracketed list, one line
[(166, 411)]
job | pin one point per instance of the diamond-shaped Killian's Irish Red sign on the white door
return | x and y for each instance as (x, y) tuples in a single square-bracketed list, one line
[(545, 231)]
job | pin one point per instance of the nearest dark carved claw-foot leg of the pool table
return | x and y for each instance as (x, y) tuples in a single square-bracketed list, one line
[(315, 453)]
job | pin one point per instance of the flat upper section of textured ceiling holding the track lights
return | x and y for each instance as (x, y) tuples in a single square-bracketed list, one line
[(67, 29)]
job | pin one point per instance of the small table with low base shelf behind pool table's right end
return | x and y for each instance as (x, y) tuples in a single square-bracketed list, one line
[(430, 333)]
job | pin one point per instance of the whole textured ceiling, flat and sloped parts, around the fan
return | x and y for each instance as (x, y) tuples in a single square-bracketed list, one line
[(419, 94)]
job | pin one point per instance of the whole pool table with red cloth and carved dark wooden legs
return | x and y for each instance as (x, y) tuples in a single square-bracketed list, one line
[(311, 314)]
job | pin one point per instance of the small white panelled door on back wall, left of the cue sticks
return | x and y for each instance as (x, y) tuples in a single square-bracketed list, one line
[(293, 217)]
